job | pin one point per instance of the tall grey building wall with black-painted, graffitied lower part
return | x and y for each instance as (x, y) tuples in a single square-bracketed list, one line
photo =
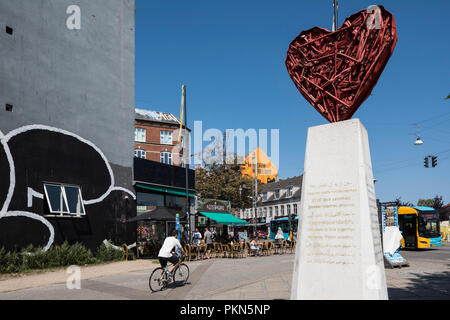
[(66, 122)]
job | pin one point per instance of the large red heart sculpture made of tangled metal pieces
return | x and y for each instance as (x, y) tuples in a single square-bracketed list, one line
[(336, 71)]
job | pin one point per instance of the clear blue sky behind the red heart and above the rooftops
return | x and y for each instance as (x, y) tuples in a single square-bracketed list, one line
[(231, 55)]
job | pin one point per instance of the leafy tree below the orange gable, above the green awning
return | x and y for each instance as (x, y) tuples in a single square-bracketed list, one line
[(224, 182)]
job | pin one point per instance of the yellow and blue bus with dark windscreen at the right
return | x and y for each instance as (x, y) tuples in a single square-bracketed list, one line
[(419, 227)]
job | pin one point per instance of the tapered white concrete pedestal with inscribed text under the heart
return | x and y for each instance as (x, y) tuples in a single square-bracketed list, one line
[(339, 254)]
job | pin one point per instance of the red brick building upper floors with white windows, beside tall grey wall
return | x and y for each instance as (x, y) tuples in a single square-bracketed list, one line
[(157, 138)]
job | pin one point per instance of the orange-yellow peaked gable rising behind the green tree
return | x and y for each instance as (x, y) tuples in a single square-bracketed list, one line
[(267, 172)]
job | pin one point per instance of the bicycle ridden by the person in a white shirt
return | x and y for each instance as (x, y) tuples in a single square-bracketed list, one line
[(161, 277)]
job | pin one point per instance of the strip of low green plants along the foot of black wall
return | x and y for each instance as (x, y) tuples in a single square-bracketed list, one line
[(64, 255)]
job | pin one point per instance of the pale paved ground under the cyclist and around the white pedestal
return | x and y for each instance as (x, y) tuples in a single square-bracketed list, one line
[(252, 278)]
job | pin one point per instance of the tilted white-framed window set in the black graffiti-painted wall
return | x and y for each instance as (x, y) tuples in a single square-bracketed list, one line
[(64, 199)]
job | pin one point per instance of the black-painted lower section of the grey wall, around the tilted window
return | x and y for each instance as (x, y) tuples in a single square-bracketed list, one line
[(44, 156)]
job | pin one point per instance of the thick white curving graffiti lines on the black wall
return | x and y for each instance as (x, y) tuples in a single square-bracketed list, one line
[(5, 206)]
